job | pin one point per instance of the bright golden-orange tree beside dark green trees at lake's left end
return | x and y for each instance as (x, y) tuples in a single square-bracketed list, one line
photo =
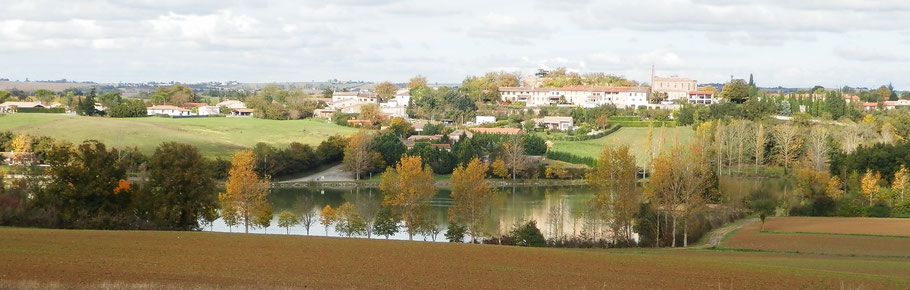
[(245, 193)]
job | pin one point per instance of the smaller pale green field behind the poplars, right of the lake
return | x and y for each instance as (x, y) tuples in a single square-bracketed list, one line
[(632, 137)]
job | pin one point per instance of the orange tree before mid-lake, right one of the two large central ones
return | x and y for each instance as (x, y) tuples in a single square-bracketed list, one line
[(471, 197)]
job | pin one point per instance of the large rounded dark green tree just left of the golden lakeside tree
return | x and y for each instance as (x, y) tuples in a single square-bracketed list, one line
[(180, 177)]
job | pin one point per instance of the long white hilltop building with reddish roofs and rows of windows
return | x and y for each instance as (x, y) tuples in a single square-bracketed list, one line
[(585, 96)]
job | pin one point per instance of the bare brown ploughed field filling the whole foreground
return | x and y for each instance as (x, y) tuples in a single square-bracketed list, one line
[(41, 258)]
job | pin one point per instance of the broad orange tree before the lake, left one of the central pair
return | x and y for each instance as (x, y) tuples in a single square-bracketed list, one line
[(408, 188)]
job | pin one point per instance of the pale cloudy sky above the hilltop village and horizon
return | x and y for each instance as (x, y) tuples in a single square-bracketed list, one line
[(781, 42)]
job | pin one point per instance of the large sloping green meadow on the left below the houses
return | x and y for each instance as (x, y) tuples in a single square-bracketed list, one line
[(214, 136)]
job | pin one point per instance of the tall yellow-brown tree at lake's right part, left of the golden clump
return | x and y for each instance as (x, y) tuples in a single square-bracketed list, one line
[(617, 197)]
